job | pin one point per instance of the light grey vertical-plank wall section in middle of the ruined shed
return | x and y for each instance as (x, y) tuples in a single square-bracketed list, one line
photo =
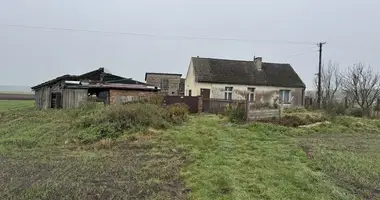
[(72, 98)]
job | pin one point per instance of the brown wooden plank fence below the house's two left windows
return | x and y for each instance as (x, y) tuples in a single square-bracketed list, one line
[(218, 106)]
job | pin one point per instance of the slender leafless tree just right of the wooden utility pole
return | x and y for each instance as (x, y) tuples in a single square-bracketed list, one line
[(331, 82)]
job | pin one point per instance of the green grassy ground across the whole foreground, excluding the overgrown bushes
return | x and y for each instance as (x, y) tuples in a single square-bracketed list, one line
[(42, 157)]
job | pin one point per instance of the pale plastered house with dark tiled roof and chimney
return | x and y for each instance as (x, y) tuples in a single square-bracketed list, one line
[(234, 79)]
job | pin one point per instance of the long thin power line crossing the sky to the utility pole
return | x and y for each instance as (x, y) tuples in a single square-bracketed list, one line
[(161, 36)]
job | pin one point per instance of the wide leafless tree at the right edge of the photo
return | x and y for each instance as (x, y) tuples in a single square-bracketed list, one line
[(362, 84)]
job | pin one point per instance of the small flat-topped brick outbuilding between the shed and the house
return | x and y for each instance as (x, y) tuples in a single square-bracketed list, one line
[(157, 79)]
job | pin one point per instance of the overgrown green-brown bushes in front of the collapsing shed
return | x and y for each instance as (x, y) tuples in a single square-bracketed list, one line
[(111, 121)]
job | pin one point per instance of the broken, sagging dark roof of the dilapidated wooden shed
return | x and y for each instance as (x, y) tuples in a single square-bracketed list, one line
[(92, 75)]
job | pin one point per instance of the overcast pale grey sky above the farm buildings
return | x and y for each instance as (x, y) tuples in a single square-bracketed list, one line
[(30, 56)]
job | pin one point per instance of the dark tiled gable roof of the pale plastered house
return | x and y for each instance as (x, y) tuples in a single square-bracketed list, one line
[(212, 70)]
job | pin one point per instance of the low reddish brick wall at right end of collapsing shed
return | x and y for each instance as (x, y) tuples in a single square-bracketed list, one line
[(117, 95)]
